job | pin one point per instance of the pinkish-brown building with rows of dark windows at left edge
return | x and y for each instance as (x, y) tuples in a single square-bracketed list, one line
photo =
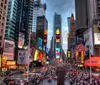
[(3, 10)]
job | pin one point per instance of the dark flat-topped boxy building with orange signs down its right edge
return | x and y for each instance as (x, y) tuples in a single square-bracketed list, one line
[(42, 30)]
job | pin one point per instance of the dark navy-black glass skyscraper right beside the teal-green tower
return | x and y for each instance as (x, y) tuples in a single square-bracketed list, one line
[(24, 20)]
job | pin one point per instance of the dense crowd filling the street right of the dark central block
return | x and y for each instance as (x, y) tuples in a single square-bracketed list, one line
[(81, 77)]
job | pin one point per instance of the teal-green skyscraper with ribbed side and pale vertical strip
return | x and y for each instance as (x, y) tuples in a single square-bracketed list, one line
[(11, 19)]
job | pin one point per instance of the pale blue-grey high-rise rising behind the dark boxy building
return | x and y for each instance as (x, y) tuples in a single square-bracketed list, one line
[(38, 10)]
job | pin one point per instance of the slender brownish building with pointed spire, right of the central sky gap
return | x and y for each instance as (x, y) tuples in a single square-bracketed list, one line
[(71, 37)]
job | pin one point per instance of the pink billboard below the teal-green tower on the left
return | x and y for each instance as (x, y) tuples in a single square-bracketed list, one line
[(9, 49)]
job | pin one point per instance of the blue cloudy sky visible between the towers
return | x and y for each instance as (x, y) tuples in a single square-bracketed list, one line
[(63, 7)]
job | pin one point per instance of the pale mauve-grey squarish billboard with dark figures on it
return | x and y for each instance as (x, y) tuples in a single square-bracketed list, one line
[(23, 57)]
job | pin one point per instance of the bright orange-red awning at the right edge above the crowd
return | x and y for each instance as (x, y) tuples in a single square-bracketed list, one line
[(94, 61)]
